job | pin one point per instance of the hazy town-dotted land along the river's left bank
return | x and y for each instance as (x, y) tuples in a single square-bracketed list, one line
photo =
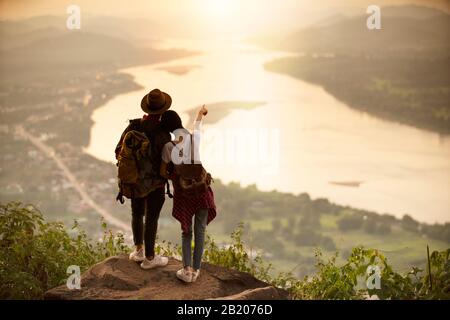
[(52, 80)]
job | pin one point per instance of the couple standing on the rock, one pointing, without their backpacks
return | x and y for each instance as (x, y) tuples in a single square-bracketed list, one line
[(157, 125)]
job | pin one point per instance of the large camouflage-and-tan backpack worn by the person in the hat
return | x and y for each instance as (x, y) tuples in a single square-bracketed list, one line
[(135, 172)]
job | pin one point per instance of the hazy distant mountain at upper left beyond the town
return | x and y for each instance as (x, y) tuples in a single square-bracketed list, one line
[(77, 49)]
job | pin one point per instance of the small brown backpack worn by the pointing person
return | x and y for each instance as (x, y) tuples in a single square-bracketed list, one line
[(191, 179)]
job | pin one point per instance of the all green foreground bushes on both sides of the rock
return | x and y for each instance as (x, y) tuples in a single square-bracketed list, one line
[(34, 256)]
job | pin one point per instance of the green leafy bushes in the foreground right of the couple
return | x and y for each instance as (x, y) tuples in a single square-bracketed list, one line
[(332, 281)]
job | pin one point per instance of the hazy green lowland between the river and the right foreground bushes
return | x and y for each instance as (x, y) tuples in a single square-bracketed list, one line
[(288, 229)]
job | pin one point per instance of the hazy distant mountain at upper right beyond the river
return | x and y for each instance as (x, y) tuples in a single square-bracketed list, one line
[(404, 28)]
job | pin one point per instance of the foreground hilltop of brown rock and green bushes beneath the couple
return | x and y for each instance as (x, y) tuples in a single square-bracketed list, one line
[(35, 256)]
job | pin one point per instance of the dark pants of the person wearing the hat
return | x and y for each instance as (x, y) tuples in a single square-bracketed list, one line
[(150, 207)]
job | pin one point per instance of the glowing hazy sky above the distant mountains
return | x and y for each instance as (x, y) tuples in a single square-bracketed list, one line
[(246, 15)]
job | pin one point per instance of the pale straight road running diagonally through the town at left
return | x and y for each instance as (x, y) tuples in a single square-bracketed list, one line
[(48, 151)]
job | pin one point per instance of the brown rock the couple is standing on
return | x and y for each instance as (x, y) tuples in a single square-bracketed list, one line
[(119, 278)]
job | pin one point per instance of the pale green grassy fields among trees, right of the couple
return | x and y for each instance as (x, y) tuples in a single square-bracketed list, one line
[(402, 248)]
